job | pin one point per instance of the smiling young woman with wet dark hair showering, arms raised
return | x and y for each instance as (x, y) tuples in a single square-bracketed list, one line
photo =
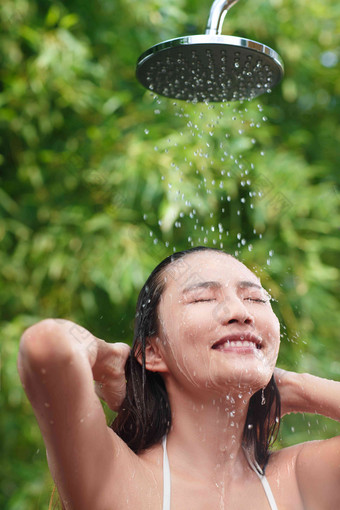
[(197, 399)]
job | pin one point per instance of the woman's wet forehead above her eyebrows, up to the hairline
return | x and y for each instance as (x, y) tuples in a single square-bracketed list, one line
[(210, 266)]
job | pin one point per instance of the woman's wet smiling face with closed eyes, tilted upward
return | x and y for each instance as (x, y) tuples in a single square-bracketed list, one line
[(217, 330)]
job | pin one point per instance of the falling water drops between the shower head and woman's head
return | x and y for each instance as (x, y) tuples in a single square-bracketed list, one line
[(210, 168)]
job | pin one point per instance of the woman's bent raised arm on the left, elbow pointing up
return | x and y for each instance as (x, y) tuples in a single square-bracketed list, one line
[(58, 361)]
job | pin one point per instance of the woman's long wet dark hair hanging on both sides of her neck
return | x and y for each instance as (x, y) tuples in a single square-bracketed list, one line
[(145, 415)]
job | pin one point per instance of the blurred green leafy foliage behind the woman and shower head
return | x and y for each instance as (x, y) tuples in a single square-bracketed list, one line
[(99, 180)]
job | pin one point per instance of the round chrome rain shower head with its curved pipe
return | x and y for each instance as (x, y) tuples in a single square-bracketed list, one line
[(210, 67)]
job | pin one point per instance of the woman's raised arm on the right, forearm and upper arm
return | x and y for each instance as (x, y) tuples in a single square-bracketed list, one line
[(318, 462)]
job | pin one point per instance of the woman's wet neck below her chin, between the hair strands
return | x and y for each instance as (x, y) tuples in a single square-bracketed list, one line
[(207, 432)]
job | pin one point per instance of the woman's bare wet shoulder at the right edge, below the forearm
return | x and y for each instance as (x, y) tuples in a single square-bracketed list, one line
[(309, 472)]
